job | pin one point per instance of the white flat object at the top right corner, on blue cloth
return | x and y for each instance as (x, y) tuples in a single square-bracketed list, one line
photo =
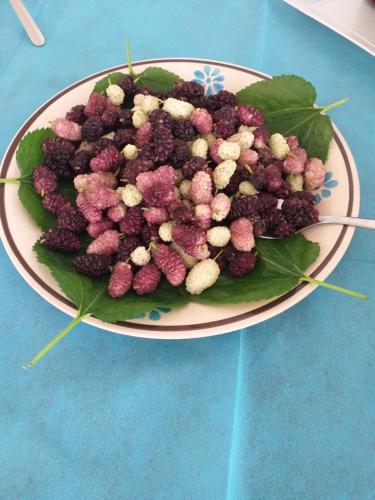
[(354, 19)]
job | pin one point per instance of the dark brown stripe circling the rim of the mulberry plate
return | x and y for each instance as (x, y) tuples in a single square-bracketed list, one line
[(139, 326)]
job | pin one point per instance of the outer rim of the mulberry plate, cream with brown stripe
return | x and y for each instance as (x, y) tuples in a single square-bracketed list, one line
[(183, 331)]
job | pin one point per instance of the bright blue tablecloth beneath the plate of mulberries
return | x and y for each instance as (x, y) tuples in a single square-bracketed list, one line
[(283, 410)]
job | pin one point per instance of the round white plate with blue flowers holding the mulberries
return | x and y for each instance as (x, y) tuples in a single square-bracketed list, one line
[(339, 196)]
